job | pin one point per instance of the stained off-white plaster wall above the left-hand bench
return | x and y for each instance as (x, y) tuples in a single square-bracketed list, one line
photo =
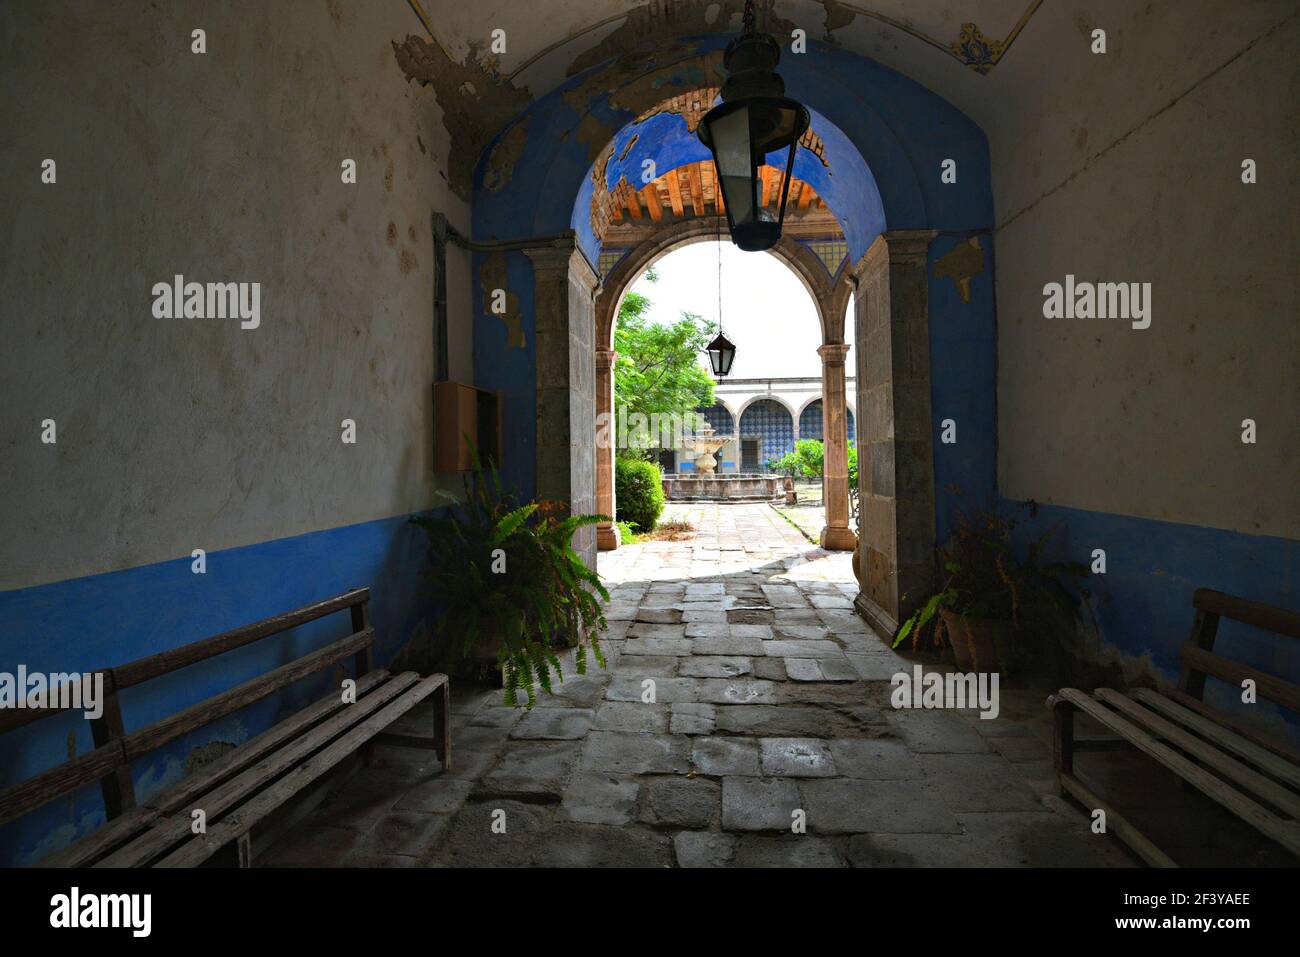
[(223, 167)]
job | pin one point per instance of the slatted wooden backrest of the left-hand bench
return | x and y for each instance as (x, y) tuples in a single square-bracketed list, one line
[(115, 750)]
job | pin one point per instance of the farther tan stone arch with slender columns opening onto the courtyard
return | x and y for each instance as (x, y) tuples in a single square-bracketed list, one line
[(830, 296)]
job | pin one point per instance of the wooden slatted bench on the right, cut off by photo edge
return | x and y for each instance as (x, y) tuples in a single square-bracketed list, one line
[(1254, 776)]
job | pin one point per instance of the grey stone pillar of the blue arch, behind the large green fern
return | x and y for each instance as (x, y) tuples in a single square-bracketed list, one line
[(565, 287)]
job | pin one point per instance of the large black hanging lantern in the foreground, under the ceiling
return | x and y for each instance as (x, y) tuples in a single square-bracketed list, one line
[(755, 119)]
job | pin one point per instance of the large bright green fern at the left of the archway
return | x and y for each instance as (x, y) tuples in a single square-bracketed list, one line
[(510, 587)]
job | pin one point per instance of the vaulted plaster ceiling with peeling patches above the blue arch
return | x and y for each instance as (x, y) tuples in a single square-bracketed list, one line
[(1020, 70)]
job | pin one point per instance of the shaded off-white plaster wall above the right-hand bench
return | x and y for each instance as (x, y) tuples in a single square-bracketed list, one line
[(1126, 167)]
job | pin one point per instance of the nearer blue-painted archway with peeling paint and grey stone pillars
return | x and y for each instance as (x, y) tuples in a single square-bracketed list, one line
[(881, 133)]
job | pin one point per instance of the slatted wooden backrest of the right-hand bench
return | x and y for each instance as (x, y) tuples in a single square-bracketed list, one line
[(1201, 661)]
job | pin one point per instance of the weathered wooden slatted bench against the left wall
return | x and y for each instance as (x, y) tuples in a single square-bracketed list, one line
[(245, 786)]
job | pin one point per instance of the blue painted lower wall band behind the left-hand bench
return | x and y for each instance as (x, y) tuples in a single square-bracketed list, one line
[(102, 621)]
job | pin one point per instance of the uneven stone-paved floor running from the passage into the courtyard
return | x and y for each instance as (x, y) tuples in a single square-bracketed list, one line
[(772, 698)]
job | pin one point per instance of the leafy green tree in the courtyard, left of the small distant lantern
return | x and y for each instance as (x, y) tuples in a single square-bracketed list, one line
[(658, 371)]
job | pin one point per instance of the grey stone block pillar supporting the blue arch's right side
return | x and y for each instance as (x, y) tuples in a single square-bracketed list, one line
[(896, 444)]
